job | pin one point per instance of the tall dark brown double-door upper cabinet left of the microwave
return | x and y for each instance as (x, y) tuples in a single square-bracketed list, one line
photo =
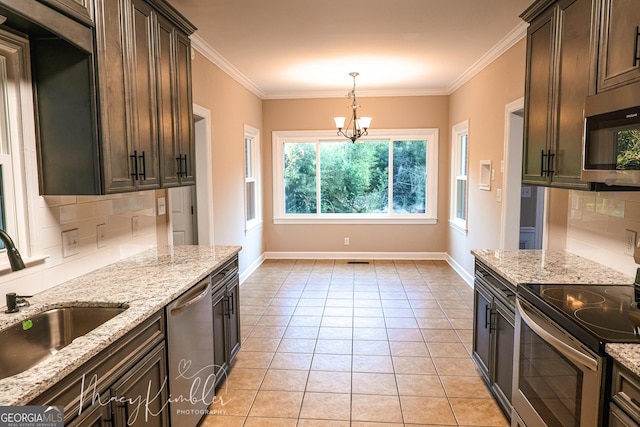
[(560, 74)]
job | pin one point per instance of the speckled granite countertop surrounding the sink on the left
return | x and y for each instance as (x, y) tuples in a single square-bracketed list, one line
[(146, 282)]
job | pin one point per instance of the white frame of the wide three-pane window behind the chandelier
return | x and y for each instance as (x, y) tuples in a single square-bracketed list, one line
[(318, 137)]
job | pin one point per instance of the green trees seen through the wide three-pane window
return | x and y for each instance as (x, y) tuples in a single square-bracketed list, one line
[(354, 178)]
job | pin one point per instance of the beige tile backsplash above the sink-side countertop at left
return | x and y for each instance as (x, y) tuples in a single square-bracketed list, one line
[(57, 214)]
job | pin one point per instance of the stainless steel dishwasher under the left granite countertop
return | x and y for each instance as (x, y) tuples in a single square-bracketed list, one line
[(190, 350)]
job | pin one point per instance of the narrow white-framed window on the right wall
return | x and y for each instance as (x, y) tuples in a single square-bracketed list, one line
[(459, 174)]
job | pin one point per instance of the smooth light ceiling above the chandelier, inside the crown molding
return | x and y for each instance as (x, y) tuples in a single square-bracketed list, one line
[(307, 48)]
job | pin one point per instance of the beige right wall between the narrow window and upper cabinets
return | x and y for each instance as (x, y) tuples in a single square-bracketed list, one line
[(482, 101)]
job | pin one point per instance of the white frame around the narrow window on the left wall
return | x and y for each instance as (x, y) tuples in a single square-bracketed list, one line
[(252, 138)]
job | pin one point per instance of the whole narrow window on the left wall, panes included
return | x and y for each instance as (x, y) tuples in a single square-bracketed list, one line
[(253, 205)]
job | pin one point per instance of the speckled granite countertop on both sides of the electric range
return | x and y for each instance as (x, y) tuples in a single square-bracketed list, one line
[(540, 267)]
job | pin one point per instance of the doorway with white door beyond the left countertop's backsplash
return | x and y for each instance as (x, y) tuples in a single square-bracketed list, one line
[(191, 207)]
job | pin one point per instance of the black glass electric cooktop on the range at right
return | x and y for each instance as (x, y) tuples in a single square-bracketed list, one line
[(595, 314)]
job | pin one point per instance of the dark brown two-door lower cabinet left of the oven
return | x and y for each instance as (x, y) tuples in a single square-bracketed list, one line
[(493, 333)]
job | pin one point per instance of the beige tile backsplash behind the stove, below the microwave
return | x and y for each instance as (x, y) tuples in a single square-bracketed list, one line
[(597, 224)]
